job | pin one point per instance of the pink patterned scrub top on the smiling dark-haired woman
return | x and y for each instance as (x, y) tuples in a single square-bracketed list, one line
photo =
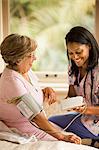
[(91, 122)]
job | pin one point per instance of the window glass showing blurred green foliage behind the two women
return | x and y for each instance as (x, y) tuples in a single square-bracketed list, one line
[(48, 21)]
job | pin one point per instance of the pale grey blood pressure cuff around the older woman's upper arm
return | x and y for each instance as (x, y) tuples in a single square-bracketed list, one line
[(28, 106)]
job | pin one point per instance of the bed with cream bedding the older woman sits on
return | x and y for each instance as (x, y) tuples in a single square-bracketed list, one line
[(13, 141)]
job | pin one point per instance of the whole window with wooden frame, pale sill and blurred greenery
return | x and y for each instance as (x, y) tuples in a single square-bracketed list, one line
[(48, 21)]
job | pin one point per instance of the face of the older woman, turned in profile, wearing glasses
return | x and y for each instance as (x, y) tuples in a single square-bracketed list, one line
[(25, 64)]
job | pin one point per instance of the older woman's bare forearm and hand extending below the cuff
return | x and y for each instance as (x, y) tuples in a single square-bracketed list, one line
[(46, 126)]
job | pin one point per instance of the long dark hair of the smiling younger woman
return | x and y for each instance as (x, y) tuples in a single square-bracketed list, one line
[(83, 36)]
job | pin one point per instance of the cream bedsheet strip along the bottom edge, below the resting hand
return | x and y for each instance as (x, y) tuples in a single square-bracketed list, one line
[(44, 145)]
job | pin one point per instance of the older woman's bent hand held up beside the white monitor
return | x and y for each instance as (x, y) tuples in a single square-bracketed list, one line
[(49, 95)]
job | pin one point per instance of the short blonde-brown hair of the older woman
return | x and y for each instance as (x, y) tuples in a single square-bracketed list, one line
[(15, 47)]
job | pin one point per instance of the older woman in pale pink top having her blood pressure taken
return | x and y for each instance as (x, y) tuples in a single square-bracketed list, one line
[(18, 82)]
